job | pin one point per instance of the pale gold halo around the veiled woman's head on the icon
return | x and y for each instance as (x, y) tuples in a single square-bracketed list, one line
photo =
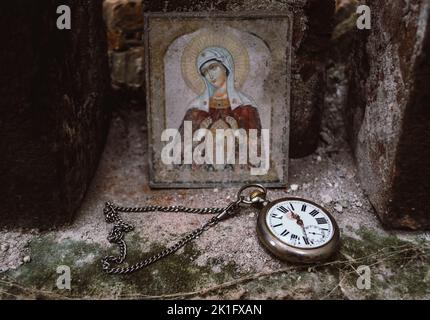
[(213, 38)]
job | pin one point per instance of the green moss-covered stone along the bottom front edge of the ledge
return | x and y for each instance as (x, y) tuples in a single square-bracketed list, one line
[(399, 269)]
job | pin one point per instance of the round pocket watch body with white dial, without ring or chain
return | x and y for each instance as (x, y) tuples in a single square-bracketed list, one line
[(298, 230)]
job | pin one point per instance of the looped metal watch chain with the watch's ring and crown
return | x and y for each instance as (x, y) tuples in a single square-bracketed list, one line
[(110, 264)]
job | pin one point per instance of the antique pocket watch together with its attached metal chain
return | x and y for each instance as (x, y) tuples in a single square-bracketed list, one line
[(292, 229)]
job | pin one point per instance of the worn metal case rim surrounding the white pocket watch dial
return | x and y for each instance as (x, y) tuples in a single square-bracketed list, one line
[(291, 253)]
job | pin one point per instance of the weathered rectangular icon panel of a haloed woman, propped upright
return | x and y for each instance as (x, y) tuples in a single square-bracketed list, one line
[(217, 97)]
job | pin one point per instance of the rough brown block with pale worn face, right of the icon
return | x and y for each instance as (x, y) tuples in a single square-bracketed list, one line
[(388, 111)]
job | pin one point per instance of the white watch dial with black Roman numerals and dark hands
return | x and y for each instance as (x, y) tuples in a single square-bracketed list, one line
[(300, 224)]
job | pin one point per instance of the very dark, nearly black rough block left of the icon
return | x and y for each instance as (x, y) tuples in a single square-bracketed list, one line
[(54, 112)]
